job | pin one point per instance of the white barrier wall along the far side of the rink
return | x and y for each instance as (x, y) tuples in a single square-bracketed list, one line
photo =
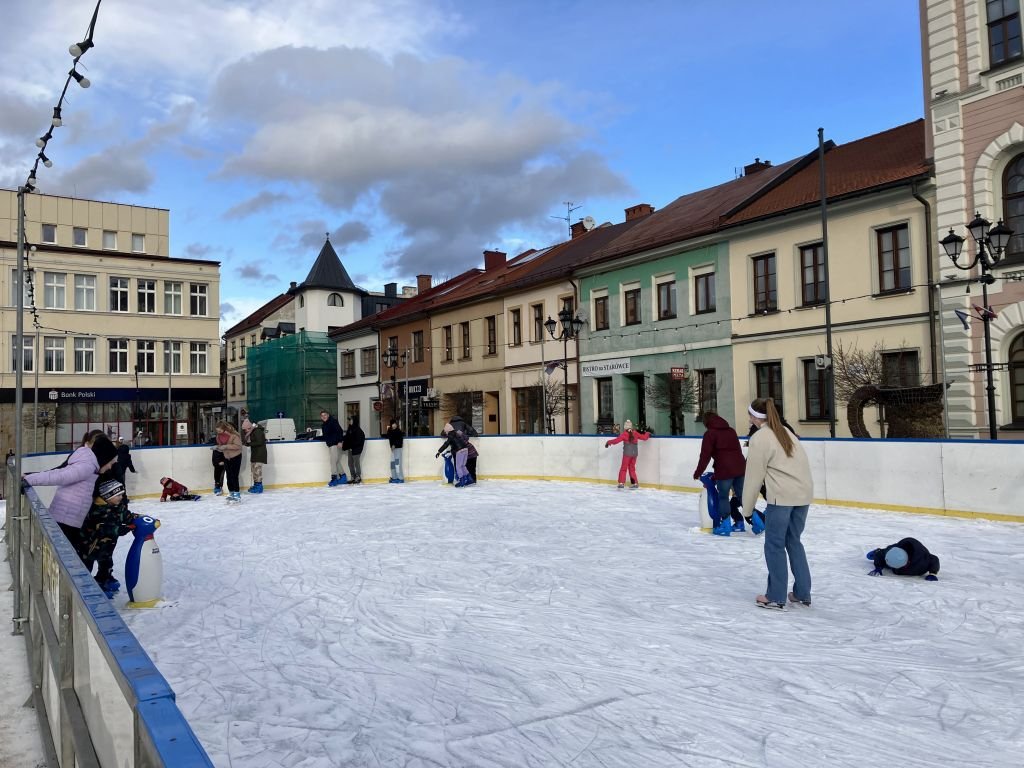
[(959, 478)]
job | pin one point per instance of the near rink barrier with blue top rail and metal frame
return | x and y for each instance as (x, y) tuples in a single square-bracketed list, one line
[(100, 698)]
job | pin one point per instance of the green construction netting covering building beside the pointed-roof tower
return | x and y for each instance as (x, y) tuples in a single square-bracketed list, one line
[(295, 375)]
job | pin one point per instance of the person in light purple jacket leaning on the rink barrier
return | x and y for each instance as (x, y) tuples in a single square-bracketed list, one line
[(77, 481)]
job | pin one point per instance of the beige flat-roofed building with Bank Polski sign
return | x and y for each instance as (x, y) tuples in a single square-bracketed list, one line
[(118, 335)]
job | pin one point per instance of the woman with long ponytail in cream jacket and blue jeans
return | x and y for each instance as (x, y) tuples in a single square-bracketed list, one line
[(778, 459)]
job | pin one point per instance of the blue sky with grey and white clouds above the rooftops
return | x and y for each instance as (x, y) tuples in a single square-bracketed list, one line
[(421, 133)]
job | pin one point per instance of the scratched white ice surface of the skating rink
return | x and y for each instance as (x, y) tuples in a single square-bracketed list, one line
[(539, 624)]
